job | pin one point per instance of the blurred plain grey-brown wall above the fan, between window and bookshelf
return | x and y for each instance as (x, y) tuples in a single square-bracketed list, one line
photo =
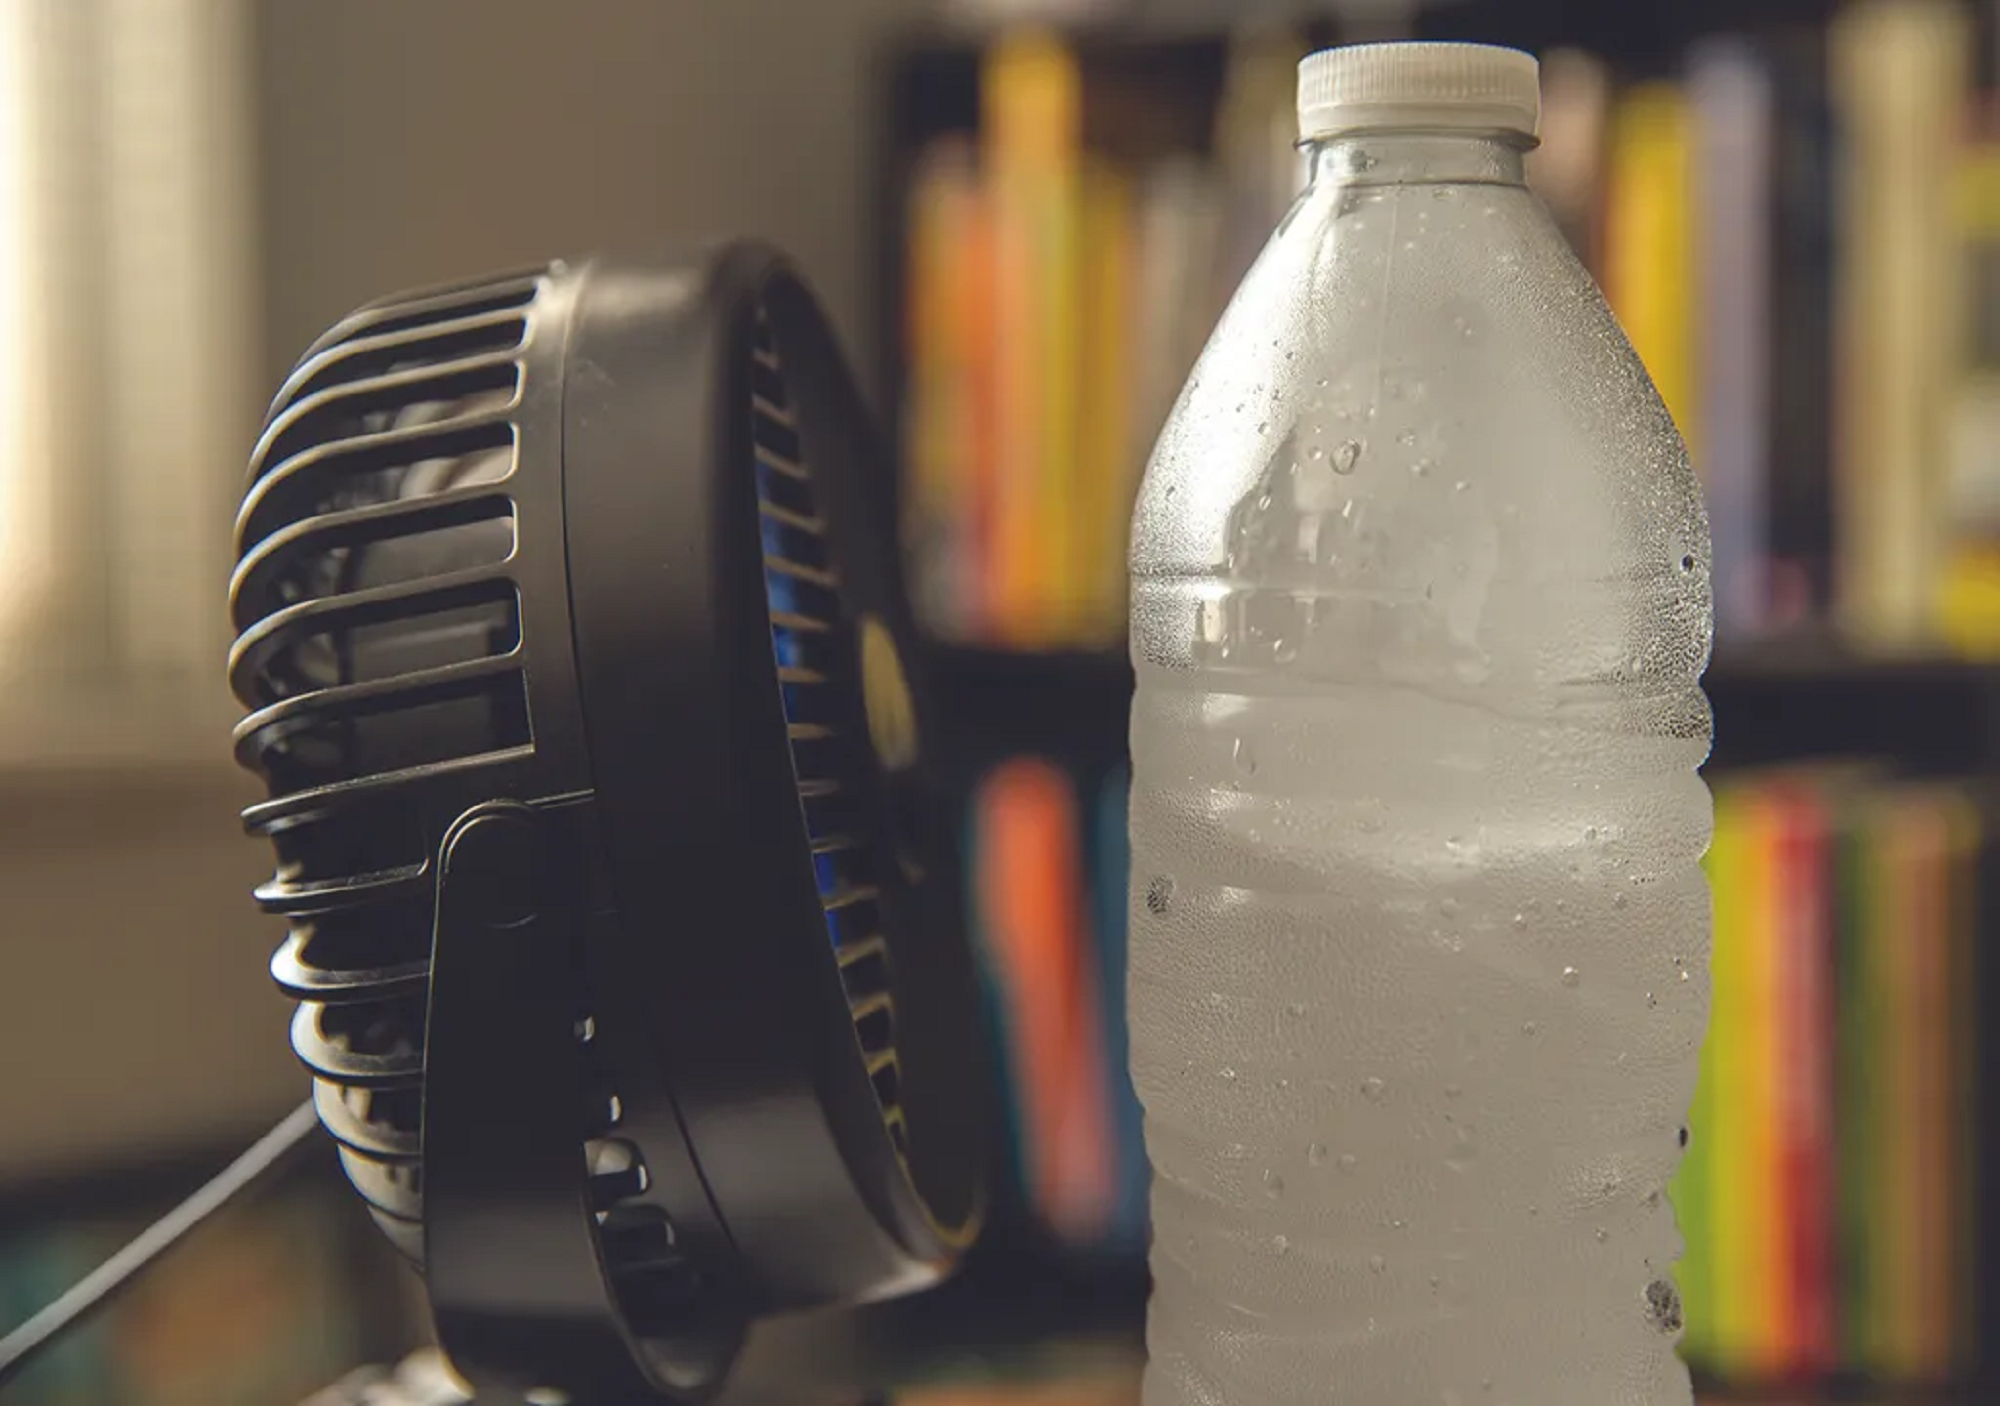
[(415, 143)]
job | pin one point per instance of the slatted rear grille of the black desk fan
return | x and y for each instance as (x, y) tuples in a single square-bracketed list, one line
[(383, 661)]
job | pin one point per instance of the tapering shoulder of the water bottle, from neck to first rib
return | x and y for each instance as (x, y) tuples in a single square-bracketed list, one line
[(1421, 431)]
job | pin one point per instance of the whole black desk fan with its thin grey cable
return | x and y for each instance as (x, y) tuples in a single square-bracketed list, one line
[(579, 671)]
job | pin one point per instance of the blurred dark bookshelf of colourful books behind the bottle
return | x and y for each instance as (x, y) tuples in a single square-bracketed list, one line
[(1795, 209)]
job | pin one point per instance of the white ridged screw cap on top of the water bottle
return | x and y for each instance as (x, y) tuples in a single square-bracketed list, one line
[(1419, 87)]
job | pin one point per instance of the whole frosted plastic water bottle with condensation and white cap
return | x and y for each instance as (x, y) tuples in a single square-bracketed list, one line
[(1419, 929)]
